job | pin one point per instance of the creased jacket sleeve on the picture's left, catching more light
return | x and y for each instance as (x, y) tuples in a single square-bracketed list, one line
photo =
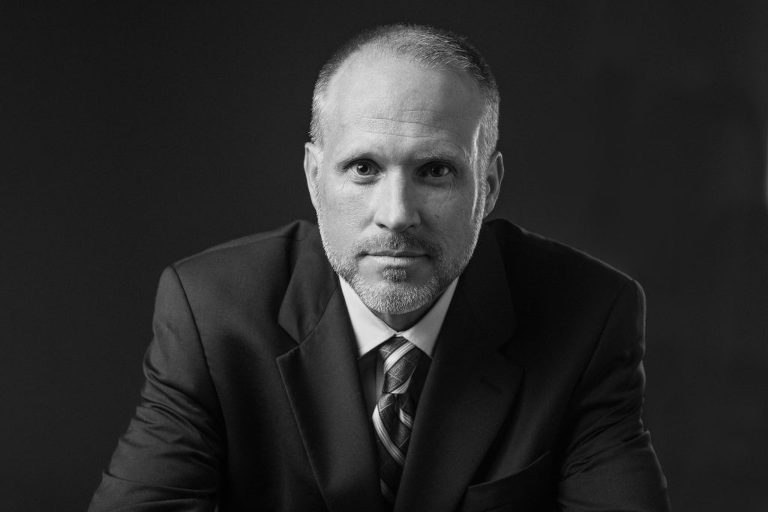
[(171, 455)]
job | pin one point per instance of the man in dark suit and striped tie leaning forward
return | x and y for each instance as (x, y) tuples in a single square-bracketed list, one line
[(404, 356)]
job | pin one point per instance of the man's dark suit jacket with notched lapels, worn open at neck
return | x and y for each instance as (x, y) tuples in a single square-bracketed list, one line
[(253, 399)]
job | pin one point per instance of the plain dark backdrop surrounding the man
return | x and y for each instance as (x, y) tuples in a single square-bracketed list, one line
[(133, 134)]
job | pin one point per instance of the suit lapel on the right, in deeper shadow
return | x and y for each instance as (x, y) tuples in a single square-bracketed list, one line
[(469, 389)]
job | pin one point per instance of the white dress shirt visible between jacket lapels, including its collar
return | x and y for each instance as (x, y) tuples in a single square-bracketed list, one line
[(371, 331)]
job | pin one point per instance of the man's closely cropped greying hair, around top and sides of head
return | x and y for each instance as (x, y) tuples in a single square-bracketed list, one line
[(427, 47)]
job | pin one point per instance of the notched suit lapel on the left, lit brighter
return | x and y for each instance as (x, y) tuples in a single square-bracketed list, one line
[(322, 381)]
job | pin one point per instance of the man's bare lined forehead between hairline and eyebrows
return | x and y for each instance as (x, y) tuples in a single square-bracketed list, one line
[(392, 96)]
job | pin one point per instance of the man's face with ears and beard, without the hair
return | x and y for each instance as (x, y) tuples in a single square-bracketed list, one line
[(397, 185)]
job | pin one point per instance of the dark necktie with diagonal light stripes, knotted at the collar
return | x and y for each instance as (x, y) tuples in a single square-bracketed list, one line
[(393, 415)]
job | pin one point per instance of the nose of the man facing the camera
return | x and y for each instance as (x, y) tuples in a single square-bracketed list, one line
[(396, 204)]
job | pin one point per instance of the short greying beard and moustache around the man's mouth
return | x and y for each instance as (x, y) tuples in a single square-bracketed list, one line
[(394, 293)]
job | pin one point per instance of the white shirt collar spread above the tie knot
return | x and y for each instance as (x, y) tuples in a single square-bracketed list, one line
[(371, 331)]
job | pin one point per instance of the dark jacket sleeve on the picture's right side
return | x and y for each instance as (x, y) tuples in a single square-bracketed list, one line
[(610, 463)]
